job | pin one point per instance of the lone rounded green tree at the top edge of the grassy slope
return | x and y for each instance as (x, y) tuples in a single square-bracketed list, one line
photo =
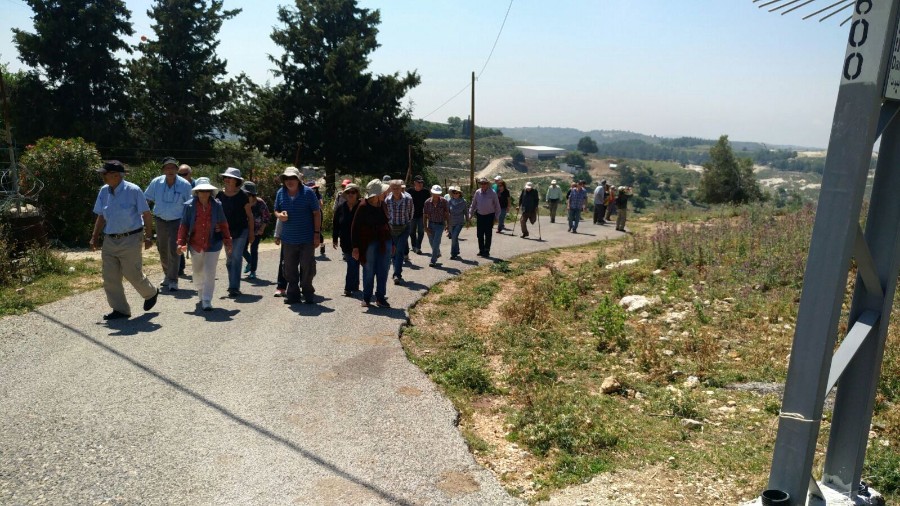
[(727, 179)]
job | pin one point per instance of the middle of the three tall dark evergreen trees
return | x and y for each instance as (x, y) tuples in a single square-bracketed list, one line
[(177, 84)]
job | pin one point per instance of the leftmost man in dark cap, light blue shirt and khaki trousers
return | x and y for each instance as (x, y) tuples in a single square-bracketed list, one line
[(123, 217)]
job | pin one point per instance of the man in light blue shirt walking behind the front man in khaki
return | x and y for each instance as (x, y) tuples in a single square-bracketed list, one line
[(168, 193)]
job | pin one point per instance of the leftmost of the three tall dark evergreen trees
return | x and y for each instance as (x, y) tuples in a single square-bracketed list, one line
[(72, 54)]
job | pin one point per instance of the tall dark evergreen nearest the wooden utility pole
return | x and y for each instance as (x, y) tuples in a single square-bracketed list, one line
[(332, 110)]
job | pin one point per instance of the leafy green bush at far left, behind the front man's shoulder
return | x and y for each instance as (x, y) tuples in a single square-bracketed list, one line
[(70, 185)]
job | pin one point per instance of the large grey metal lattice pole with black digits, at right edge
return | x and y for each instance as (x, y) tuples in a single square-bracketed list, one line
[(867, 103)]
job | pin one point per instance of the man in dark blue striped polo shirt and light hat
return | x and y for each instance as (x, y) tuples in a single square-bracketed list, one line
[(297, 208)]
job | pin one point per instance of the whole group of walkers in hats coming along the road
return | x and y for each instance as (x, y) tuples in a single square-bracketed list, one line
[(375, 229)]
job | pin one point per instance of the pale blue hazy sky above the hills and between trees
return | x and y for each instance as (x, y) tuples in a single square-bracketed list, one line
[(661, 67)]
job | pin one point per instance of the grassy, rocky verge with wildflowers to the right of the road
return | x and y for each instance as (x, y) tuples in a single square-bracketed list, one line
[(570, 363)]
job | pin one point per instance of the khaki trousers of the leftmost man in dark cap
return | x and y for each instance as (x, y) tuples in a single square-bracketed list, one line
[(122, 258)]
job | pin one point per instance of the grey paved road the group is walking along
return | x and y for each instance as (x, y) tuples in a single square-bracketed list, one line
[(254, 403)]
